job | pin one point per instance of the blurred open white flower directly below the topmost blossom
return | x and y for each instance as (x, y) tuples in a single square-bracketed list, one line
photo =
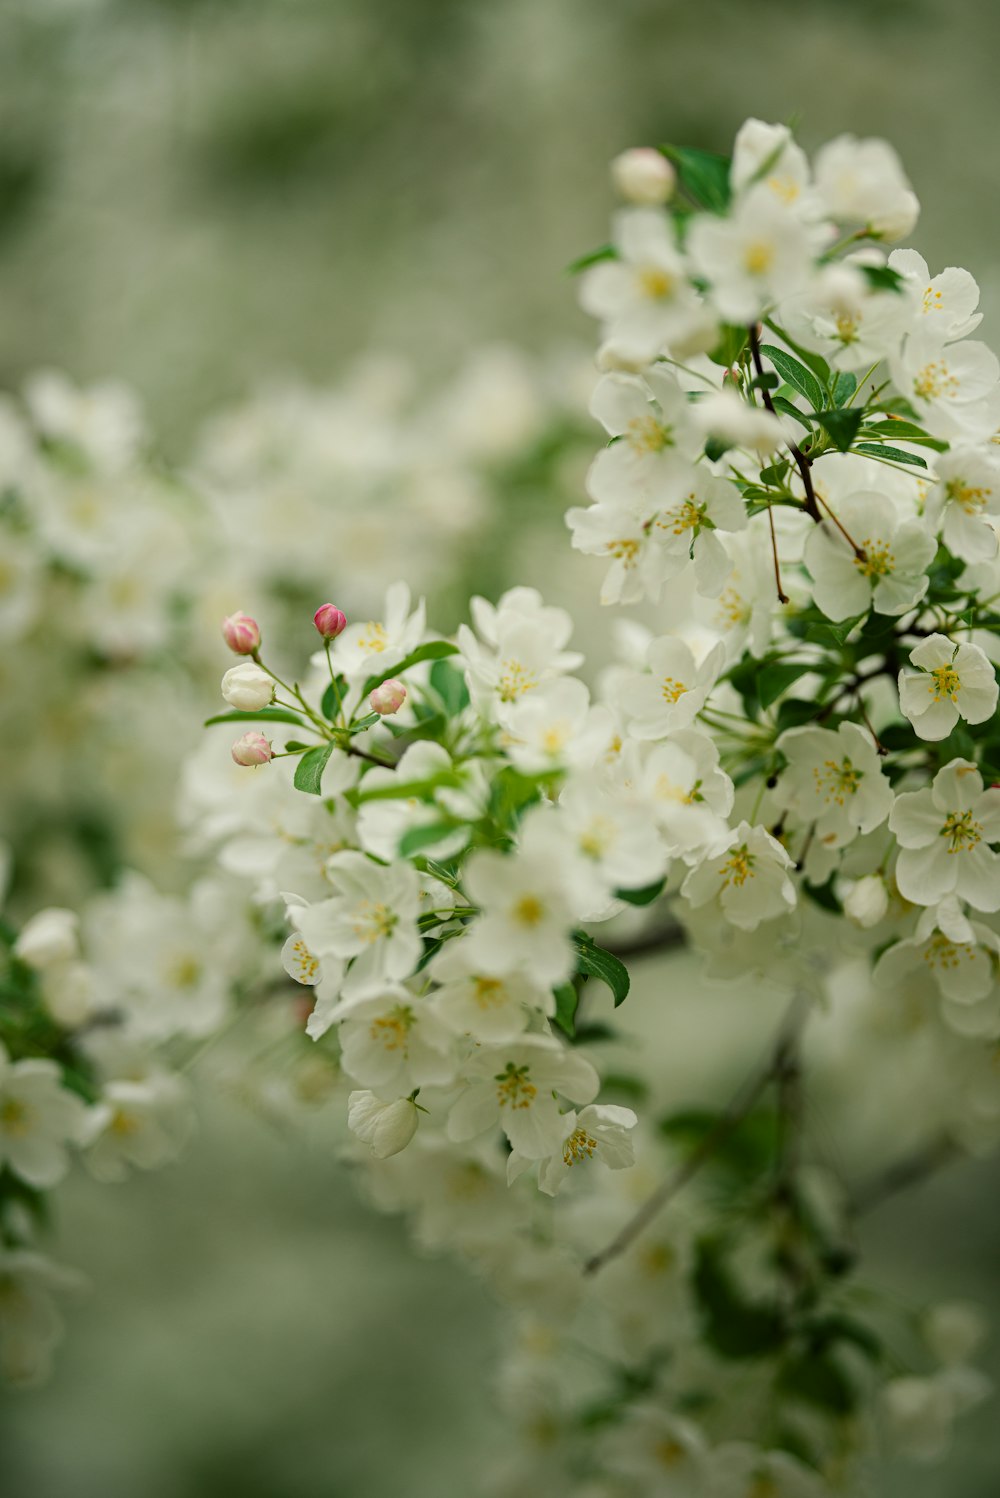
[(758, 254)]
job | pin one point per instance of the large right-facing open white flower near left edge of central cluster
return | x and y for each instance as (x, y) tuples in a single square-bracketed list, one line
[(372, 919)]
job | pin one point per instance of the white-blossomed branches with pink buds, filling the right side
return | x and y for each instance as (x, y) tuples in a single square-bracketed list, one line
[(793, 772)]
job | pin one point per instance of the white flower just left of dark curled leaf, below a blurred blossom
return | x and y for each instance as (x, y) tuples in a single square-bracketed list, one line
[(486, 1006)]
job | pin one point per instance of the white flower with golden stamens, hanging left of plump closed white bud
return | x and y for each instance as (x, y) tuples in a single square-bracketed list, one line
[(749, 879)]
